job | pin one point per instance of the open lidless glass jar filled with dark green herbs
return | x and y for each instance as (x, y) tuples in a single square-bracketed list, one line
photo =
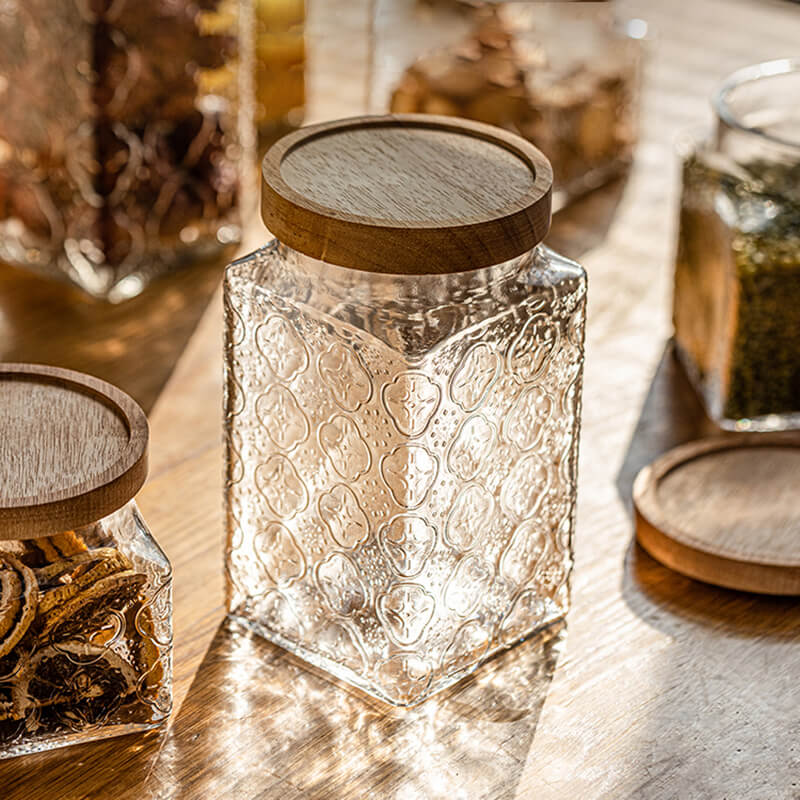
[(736, 305)]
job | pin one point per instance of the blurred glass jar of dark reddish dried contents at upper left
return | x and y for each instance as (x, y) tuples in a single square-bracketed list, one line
[(118, 142)]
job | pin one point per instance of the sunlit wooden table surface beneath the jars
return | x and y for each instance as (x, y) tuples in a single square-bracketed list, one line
[(656, 687)]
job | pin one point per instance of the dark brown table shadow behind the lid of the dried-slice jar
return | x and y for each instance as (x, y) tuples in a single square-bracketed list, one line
[(134, 345)]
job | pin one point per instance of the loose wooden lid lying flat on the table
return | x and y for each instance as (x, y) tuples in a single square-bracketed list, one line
[(726, 511)]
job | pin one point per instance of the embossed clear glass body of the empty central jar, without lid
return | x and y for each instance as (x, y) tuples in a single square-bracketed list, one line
[(401, 461)]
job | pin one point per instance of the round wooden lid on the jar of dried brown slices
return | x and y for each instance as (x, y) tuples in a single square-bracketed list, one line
[(72, 450)]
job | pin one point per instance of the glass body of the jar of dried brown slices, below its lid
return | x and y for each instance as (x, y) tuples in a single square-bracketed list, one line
[(86, 644)]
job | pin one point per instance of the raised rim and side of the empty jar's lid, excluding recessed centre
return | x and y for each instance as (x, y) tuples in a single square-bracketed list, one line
[(378, 246)]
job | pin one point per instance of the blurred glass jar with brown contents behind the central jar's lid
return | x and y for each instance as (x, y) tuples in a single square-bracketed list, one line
[(562, 75)]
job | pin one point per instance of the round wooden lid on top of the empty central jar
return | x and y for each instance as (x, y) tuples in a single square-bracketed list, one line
[(407, 193)]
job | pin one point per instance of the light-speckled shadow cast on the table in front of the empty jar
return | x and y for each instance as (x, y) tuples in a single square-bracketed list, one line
[(258, 723)]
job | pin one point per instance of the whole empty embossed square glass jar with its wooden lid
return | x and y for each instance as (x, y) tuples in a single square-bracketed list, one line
[(403, 384)]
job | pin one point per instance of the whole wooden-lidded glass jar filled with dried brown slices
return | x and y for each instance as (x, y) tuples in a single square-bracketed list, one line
[(85, 591)]
